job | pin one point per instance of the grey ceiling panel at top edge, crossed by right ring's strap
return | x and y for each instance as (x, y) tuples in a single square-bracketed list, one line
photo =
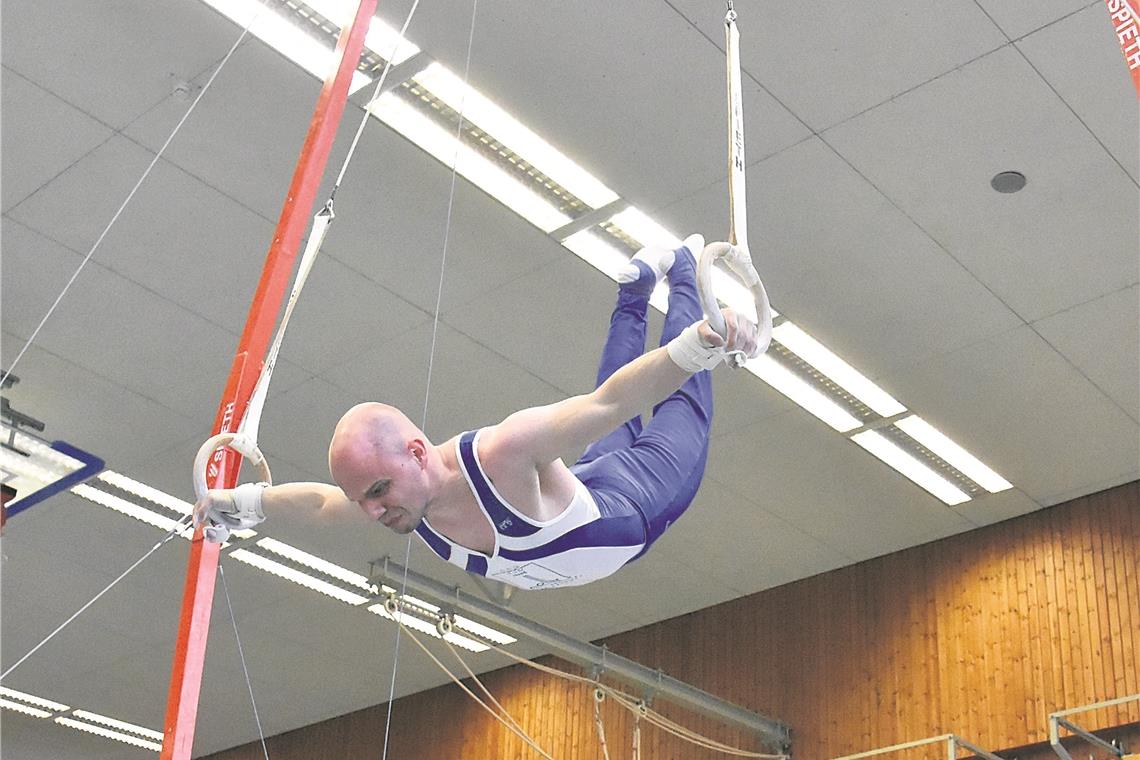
[(851, 56)]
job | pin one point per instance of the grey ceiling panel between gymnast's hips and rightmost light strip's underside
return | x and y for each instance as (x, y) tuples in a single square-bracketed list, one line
[(797, 469)]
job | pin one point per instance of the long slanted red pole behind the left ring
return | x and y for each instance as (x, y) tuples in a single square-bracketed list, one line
[(198, 596)]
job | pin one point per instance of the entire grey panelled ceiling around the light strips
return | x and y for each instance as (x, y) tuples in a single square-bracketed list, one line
[(1011, 322)]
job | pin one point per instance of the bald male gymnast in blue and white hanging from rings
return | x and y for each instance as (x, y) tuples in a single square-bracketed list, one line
[(500, 502)]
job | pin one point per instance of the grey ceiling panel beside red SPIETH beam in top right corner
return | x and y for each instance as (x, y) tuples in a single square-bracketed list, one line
[(1080, 58)]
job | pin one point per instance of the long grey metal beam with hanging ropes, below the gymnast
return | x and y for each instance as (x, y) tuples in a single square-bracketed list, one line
[(654, 683)]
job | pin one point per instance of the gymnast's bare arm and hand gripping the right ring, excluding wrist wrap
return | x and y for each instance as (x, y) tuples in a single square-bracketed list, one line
[(542, 435)]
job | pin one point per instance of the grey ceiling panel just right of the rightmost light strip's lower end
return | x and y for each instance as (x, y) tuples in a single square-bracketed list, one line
[(1027, 412)]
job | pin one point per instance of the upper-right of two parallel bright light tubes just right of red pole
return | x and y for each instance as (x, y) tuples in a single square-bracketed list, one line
[(507, 129)]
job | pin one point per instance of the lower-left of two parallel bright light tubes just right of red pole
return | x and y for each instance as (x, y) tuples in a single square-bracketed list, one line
[(443, 144)]
